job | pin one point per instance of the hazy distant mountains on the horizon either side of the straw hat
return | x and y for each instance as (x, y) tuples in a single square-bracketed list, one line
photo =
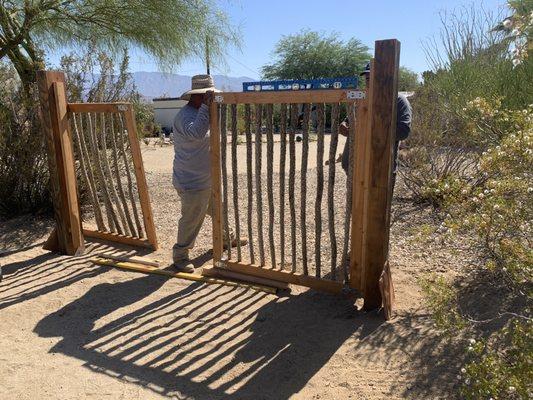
[(158, 84)]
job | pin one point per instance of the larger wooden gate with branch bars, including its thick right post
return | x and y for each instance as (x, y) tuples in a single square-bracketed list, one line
[(358, 252)]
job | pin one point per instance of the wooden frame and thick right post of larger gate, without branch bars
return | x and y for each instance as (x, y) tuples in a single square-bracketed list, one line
[(372, 178)]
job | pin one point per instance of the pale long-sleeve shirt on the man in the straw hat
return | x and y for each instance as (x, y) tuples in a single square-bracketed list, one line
[(192, 161)]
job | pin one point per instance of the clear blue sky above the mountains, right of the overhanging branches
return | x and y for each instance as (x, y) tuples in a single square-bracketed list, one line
[(264, 22)]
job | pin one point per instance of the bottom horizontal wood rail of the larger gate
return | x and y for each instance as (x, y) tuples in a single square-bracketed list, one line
[(285, 276)]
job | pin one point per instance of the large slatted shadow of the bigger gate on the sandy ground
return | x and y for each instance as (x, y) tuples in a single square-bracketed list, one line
[(219, 342)]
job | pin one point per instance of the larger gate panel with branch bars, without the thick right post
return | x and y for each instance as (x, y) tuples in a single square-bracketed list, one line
[(291, 254)]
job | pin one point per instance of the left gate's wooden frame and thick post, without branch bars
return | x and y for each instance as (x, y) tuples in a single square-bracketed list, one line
[(68, 235)]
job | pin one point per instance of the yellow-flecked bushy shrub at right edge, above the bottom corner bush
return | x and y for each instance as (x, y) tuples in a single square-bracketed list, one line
[(498, 209)]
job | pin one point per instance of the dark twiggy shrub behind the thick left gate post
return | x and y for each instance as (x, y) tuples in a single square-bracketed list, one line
[(24, 175)]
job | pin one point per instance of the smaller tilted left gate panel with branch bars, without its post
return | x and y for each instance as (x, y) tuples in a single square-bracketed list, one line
[(111, 170)]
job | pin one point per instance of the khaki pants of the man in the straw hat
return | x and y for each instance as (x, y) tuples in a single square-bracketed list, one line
[(195, 204)]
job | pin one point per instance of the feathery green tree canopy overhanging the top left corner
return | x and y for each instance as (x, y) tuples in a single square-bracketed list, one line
[(169, 30)]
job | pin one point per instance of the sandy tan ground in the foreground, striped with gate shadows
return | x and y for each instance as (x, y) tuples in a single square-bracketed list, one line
[(71, 330)]
